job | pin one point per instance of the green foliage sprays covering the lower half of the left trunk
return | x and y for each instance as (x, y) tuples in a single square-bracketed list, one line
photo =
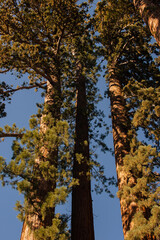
[(30, 176)]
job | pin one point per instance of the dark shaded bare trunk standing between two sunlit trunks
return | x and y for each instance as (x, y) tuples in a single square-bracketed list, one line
[(82, 214)]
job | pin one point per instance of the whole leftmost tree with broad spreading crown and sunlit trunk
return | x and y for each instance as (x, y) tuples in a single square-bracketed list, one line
[(34, 40)]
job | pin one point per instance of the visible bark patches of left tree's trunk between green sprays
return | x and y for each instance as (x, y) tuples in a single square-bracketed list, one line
[(52, 106)]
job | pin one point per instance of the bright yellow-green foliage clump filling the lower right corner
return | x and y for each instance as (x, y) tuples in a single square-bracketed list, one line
[(144, 191)]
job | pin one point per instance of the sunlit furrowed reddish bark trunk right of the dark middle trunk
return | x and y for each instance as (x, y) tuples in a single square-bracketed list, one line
[(120, 126)]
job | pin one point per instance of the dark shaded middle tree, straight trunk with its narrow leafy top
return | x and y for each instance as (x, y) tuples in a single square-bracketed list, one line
[(82, 211)]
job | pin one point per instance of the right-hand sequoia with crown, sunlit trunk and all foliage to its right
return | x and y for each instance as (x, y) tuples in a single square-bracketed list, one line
[(127, 50)]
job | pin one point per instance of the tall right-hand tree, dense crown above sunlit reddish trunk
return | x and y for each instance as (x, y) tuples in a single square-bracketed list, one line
[(126, 48)]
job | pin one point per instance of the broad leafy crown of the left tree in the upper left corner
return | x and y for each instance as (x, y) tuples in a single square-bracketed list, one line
[(34, 34)]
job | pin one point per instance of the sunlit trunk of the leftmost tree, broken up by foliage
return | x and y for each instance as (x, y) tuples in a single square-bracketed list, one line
[(50, 155)]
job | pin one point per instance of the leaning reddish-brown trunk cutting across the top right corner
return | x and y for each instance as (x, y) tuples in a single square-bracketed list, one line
[(150, 12)]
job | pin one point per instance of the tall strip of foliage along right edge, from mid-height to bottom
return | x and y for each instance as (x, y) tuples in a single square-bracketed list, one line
[(143, 160)]
